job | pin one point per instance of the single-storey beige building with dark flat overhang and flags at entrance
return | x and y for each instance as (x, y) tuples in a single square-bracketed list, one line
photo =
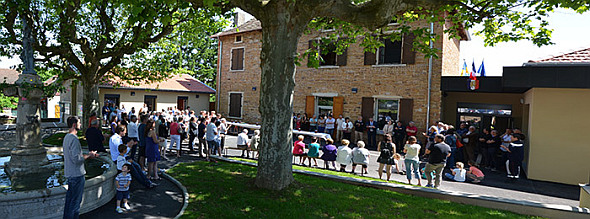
[(548, 99)]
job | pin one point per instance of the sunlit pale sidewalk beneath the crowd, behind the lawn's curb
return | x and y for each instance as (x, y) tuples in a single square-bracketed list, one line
[(494, 184)]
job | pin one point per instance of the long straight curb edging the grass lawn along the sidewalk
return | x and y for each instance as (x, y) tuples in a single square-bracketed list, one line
[(517, 206)]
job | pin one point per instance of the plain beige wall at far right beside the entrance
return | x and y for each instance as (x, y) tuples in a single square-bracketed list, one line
[(559, 148)]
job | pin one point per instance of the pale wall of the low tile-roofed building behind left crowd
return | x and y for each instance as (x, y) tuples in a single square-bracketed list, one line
[(164, 99)]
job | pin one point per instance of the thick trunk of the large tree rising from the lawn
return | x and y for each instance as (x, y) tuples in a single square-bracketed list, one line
[(279, 50)]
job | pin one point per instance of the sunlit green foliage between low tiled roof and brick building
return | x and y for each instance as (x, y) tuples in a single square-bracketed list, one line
[(189, 49)]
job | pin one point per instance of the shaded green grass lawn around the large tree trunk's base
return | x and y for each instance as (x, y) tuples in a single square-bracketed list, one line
[(226, 190)]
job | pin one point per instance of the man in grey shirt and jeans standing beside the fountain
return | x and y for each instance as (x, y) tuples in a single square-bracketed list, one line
[(74, 168)]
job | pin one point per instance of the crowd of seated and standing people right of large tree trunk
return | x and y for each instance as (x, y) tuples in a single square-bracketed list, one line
[(444, 147)]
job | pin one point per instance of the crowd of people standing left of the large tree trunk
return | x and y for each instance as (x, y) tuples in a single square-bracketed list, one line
[(139, 139)]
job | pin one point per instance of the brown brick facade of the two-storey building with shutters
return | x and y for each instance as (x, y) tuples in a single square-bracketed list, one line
[(402, 81)]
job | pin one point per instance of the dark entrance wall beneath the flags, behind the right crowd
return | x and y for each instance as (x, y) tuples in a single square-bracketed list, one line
[(451, 99)]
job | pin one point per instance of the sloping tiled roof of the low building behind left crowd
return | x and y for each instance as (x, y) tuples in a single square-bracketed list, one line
[(179, 83)]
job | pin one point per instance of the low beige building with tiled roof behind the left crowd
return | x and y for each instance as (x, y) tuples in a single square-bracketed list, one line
[(180, 91)]
